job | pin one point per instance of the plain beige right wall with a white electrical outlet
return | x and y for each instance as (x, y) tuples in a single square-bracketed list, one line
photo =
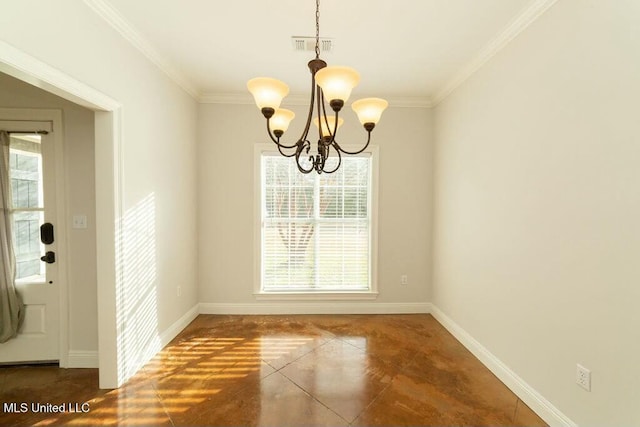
[(537, 207)]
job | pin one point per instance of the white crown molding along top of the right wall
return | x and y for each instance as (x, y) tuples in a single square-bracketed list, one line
[(528, 16)]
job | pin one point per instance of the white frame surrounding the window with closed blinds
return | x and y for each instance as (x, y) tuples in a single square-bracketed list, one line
[(259, 293)]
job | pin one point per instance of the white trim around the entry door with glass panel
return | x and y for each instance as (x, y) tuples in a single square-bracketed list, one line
[(57, 134)]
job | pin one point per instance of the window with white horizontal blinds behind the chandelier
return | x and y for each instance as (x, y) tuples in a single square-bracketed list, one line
[(317, 231)]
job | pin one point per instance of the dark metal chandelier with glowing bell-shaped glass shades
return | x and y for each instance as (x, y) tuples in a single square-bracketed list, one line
[(332, 84)]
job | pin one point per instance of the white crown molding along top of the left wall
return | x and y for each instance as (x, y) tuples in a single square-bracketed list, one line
[(110, 15)]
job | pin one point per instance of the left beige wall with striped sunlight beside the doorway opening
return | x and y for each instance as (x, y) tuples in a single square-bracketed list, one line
[(156, 134)]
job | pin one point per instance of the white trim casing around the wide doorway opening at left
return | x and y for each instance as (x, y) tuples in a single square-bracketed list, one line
[(109, 192)]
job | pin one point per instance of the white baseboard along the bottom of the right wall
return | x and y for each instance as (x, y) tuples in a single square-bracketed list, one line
[(524, 391)]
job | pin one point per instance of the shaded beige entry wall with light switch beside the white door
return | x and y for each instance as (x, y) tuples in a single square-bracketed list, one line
[(80, 188)]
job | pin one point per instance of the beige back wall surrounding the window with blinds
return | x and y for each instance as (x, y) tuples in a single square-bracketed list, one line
[(227, 135)]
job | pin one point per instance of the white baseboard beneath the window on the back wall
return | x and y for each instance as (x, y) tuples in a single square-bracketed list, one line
[(323, 307)]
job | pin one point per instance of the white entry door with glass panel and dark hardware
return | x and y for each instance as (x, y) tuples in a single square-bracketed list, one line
[(32, 164)]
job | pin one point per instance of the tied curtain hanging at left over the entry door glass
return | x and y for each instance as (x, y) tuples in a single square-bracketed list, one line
[(11, 307)]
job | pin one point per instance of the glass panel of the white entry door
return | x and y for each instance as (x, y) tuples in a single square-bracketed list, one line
[(28, 207)]
